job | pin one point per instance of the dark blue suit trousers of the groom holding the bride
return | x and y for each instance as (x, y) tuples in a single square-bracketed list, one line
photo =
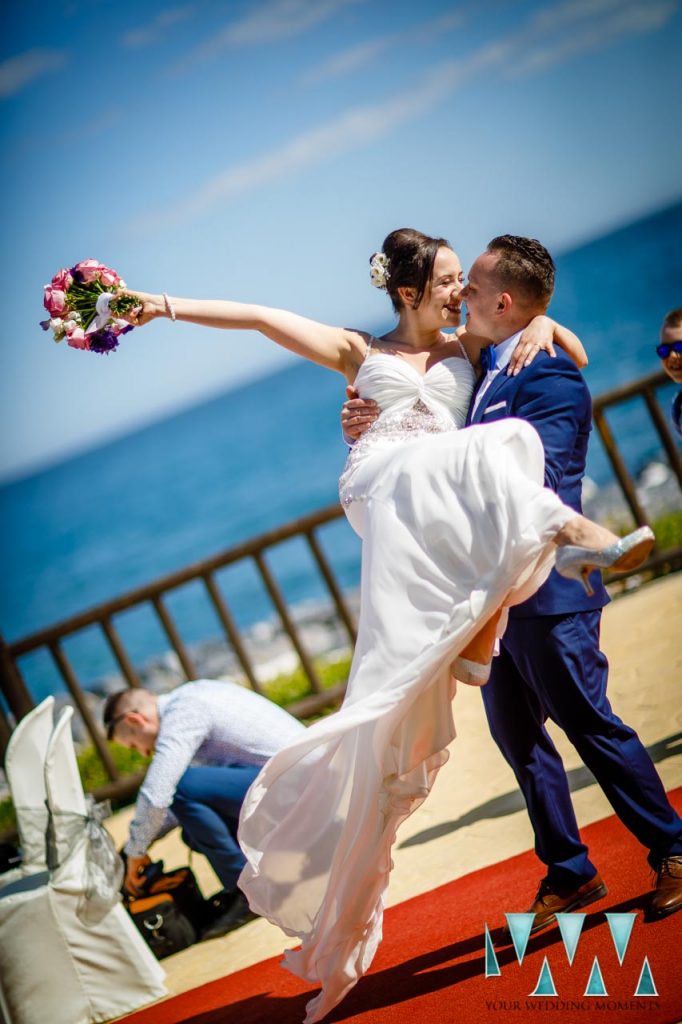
[(551, 667)]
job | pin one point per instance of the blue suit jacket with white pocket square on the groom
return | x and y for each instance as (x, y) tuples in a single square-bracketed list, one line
[(553, 397)]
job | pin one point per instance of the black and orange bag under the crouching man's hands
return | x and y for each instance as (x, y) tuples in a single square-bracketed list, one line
[(173, 913)]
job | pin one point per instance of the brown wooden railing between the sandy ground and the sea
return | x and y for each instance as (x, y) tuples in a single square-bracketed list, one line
[(20, 700)]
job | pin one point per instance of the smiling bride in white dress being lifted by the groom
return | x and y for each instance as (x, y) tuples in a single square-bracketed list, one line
[(456, 527)]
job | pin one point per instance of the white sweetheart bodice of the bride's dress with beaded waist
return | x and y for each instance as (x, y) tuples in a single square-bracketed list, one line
[(412, 404)]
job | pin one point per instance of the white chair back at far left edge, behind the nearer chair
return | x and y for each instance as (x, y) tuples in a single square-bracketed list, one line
[(25, 761)]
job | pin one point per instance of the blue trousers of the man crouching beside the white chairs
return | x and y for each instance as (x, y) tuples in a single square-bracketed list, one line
[(207, 804)]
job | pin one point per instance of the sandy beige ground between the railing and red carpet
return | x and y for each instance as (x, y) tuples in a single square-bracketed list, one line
[(475, 816)]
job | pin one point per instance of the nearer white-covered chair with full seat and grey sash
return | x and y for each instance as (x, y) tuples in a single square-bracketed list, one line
[(54, 966)]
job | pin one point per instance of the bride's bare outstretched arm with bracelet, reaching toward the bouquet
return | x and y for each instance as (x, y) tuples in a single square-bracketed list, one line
[(335, 348)]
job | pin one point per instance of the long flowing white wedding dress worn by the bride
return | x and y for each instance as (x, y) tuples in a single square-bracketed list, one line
[(455, 524)]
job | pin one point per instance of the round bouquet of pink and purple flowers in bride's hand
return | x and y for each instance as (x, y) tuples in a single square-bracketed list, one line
[(83, 306)]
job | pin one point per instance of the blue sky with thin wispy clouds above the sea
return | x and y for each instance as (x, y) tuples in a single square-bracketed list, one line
[(262, 151)]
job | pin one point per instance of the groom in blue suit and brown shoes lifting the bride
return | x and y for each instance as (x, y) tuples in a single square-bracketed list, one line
[(550, 665)]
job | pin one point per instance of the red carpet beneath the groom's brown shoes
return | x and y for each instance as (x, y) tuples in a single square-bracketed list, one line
[(431, 967)]
